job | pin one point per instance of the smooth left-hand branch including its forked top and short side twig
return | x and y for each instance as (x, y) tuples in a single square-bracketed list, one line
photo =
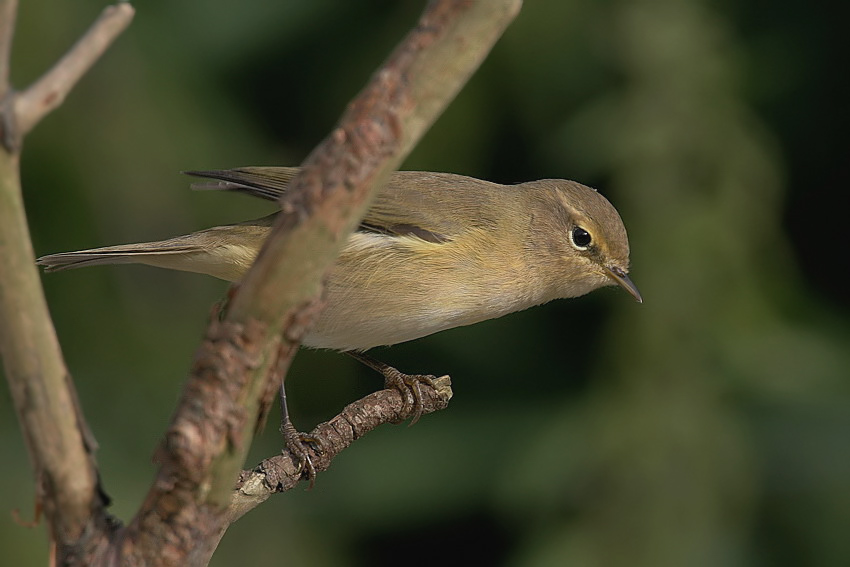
[(58, 440)]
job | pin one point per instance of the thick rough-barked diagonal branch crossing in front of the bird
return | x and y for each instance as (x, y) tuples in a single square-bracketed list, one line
[(278, 300)]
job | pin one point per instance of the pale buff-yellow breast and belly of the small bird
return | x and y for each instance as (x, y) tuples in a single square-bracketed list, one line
[(386, 289)]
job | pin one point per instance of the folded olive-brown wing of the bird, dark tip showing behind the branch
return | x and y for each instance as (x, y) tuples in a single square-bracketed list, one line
[(432, 206)]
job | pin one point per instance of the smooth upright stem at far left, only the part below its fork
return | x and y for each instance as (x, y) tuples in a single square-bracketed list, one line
[(37, 376)]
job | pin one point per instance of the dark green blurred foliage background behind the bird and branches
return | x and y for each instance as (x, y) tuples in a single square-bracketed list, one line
[(709, 426)]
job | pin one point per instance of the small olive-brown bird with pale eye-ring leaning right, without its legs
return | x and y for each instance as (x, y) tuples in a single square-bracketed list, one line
[(434, 251)]
